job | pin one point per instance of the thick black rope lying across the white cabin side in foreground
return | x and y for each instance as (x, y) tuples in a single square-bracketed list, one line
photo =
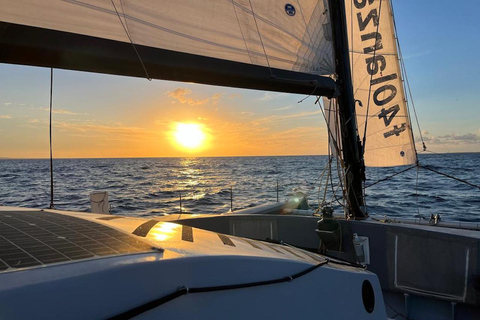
[(185, 290)]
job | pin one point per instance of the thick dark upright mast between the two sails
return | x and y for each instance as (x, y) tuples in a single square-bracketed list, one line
[(352, 148)]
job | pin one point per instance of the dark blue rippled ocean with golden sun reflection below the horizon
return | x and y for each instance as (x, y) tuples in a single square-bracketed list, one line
[(152, 186)]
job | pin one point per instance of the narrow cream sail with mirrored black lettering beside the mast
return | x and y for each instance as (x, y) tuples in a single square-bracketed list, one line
[(377, 84)]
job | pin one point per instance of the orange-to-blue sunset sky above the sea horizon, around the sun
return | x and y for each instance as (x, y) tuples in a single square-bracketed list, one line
[(98, 116)]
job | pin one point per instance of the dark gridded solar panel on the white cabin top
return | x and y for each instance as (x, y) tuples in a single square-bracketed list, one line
[(32, 238)]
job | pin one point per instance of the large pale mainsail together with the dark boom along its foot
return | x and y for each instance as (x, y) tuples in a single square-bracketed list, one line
[(258, 44)]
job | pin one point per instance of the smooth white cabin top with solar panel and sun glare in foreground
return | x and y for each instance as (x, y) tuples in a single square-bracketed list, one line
[(167, 270)]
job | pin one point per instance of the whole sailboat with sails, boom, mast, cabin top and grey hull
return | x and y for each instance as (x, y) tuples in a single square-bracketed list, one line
[(62, 264)]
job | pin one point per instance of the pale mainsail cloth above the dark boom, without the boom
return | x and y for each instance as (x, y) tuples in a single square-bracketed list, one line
[(294, 37)]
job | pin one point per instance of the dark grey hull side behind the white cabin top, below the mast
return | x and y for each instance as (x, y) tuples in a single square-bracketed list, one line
[(426, 272)]
